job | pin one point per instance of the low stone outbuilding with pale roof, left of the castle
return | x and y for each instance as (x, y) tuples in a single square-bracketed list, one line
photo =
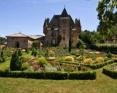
[(19, 40)]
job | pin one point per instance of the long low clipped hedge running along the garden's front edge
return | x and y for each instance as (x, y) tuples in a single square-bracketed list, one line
[(50, 75)]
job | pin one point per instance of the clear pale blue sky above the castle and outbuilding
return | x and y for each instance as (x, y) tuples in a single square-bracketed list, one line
[(27, 16)]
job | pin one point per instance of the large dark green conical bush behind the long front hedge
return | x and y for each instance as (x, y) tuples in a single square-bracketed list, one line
[(15, 63)]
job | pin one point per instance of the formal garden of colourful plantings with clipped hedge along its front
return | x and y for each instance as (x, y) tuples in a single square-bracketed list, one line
[(53, 63)]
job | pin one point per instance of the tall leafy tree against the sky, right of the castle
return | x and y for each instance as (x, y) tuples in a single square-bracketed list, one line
[(107, 14)]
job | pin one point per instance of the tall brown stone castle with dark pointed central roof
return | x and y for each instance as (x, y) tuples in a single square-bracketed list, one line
[(61, 30)]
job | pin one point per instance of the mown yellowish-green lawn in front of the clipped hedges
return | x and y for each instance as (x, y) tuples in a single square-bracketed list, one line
[(103, 84)]
